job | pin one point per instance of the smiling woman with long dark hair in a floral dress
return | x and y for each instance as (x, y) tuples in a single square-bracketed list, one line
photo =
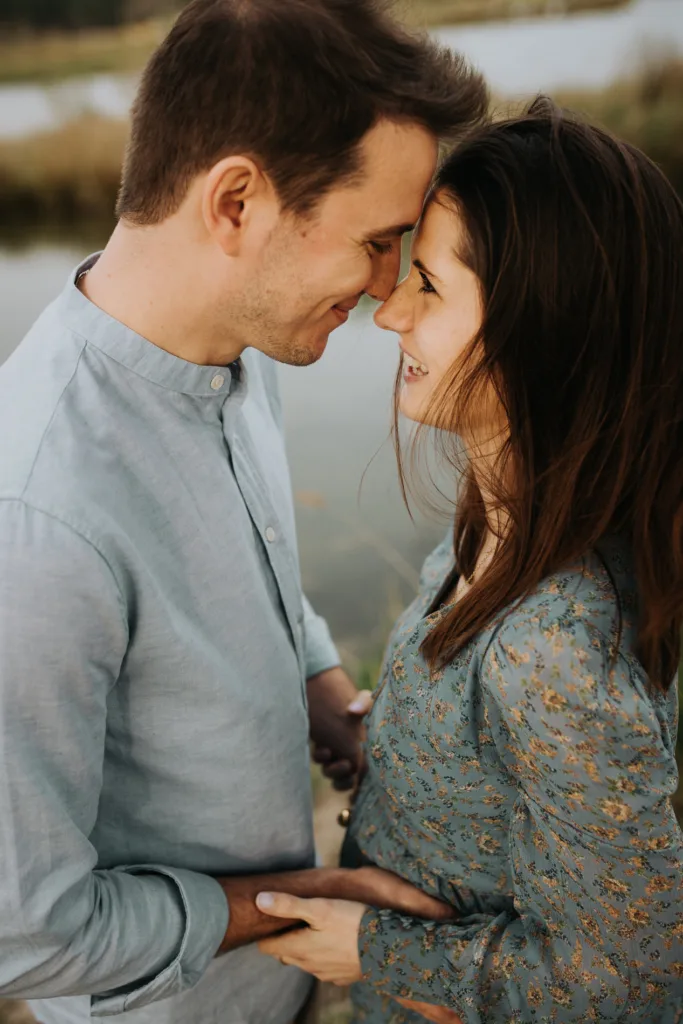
[(522, 742)]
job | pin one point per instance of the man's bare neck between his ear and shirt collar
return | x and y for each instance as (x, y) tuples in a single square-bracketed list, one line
[(148, 280)]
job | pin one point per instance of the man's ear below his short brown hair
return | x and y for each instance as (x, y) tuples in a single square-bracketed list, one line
[(236, 199)]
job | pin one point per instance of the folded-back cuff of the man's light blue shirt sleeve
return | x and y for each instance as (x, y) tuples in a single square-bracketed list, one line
[(206, 917)]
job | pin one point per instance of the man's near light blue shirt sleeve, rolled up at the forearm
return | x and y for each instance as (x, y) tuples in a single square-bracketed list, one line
[(126, 936)]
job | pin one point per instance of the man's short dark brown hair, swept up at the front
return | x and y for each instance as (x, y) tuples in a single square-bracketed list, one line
[(295, 84)]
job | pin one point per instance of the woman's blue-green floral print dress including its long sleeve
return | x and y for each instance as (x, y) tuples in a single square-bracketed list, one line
[(529, 785)]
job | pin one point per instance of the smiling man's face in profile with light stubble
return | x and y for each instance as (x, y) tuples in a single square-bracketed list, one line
[(314, 271)]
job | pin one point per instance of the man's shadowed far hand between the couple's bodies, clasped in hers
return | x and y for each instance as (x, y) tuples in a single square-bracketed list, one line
[(336, 711)]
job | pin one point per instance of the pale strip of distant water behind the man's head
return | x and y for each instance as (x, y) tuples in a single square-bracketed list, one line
[(589, 50)]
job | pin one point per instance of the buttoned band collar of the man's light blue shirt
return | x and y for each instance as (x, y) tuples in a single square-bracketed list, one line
[(136, 353)]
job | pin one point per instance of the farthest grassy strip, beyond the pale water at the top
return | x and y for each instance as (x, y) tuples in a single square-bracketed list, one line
[(55, 56)]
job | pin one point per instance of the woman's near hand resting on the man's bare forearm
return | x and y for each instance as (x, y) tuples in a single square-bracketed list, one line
[(329, 948)]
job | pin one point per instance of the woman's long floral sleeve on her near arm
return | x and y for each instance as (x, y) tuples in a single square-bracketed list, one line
[(596, 858)]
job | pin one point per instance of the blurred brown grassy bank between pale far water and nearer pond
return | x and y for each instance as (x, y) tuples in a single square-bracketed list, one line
[(73, 174)]
